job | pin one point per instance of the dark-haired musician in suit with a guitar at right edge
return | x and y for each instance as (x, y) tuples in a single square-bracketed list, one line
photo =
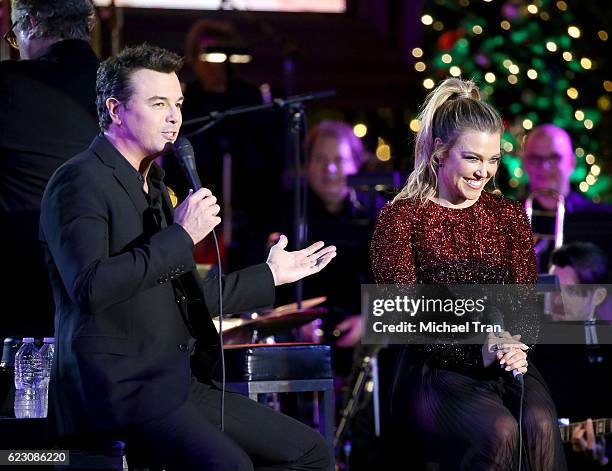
[(582, 271)]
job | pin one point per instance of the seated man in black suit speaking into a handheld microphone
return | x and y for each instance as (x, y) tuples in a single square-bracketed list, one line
[(130, 305)]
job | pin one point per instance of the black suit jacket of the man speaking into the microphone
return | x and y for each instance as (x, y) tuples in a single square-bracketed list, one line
[(127, 304)]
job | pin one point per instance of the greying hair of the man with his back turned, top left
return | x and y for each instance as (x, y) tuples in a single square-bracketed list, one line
[(63, 19)]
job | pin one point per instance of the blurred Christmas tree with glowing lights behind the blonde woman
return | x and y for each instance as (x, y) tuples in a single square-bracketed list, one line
[(535, 61)]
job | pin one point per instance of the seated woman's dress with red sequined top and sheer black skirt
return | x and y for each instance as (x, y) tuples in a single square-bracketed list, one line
[(463, 414)]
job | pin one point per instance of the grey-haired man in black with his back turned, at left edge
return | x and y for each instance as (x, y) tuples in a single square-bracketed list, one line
[(47, 114)]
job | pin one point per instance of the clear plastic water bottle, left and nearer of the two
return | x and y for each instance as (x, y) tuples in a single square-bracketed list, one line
[(28, 381)]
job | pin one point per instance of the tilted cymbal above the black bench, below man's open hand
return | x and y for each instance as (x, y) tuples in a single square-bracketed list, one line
[(271, 324)]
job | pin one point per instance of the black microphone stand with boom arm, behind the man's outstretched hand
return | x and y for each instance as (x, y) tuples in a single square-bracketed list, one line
[(295, 107)]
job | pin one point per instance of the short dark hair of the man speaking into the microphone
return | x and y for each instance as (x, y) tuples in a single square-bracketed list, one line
[(114, 74)]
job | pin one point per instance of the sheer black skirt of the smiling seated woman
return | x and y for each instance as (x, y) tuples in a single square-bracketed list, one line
[(471, 422)]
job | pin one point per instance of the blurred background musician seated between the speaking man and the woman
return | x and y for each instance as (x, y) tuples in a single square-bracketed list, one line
[(333, 154)]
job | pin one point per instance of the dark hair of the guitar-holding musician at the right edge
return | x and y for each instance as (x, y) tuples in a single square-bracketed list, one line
[(588, 261)]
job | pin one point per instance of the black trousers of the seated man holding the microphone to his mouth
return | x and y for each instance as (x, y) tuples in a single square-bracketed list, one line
[(255, 438)]
